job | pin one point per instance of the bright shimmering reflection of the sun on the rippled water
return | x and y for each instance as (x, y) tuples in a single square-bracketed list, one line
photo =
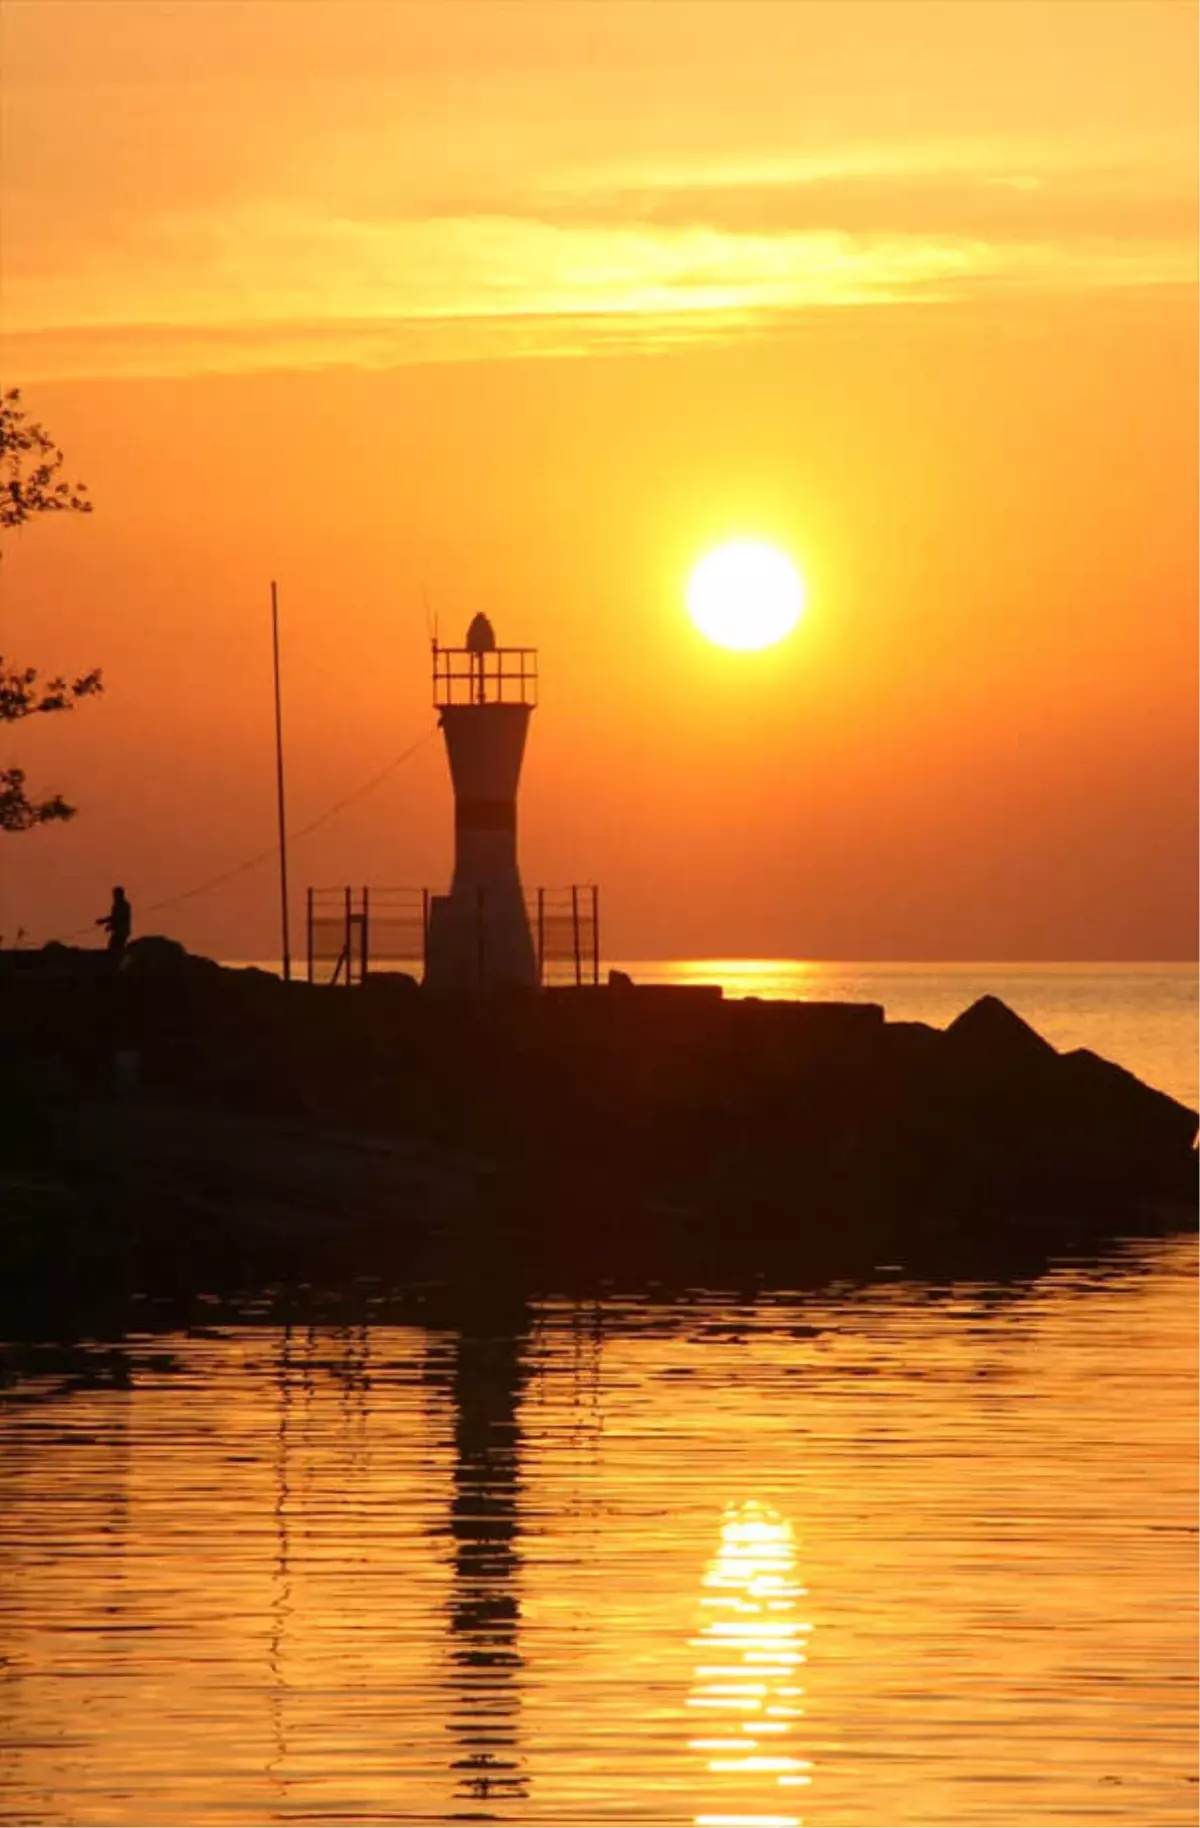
[(747, 1699)]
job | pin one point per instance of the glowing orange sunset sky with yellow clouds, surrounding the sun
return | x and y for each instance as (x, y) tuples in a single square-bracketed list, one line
[(423, 310)]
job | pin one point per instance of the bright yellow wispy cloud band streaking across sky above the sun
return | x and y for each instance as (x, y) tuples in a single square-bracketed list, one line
[(283, 288)]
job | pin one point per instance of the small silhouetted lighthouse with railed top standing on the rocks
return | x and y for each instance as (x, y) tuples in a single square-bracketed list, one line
[(480, 933)]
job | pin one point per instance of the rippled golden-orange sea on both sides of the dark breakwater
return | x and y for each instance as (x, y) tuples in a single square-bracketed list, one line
[(877, 1553)]
